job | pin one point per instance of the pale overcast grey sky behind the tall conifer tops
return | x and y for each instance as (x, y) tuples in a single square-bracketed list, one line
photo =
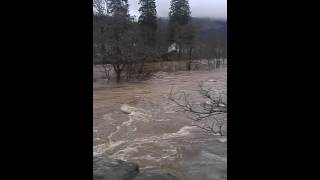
[(199, 8)]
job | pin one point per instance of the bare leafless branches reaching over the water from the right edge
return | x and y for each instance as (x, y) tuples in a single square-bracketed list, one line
[(210, 115)]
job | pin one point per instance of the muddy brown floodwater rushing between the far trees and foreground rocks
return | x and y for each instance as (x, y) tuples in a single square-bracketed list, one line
[(135, 121)]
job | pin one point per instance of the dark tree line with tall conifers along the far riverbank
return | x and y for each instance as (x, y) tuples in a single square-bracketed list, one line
[(126, 43)]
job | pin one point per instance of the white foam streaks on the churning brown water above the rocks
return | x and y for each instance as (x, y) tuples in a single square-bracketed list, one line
[(162, 142)]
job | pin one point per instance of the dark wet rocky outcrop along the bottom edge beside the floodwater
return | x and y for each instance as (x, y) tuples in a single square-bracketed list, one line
[(105, 168)]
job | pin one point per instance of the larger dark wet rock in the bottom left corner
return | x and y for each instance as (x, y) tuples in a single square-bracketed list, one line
[(105, 168)]
